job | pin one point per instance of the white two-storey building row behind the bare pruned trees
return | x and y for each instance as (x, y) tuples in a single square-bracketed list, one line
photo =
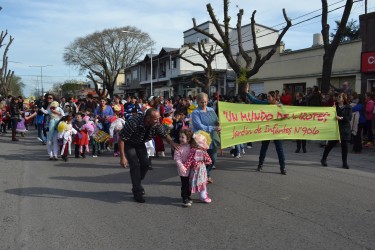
[(171, 75)]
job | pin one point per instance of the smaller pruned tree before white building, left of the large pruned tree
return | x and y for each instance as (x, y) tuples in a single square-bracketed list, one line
[(208, 57)]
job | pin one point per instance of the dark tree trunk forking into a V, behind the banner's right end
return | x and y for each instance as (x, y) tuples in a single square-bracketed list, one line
[(331, 47)]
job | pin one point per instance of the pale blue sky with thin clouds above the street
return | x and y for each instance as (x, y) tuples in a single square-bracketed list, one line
[(43, 28)]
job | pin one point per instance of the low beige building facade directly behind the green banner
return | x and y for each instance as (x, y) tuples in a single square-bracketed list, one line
[(300, 69)]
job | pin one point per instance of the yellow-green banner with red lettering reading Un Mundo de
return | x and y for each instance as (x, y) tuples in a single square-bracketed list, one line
[(241, 123)]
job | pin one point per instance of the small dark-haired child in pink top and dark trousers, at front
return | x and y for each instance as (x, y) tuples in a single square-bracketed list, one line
[(180, 156)]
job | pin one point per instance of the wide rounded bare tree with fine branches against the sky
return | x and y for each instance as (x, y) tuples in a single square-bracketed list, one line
[(103, 54)]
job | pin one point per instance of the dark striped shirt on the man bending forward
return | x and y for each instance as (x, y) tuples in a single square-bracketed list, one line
[(136, 133)]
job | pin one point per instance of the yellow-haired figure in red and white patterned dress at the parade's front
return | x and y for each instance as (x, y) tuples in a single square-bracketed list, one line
[(196, 164)]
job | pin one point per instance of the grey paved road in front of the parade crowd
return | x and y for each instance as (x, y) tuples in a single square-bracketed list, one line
[(87, 204)]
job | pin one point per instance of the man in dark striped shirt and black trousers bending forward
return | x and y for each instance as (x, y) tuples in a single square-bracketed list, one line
[(133, 152)]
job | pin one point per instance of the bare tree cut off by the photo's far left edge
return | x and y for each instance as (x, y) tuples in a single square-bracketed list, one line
[(5, 74)]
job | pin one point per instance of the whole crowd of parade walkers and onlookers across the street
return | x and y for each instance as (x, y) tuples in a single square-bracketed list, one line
[(134, 129)]
